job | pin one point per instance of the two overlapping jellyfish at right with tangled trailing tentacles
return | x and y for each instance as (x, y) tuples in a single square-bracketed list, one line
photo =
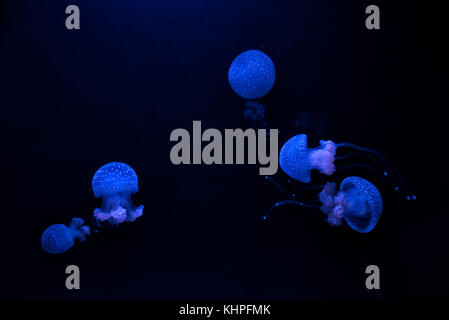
[(357, 201)]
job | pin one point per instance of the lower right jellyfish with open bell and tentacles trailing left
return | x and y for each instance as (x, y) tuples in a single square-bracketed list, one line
[(358, 202)]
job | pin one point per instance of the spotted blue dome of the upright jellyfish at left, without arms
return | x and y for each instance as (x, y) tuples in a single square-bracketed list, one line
[(113, 178)]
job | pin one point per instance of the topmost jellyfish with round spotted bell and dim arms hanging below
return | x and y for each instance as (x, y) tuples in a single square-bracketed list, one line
[(252, 75)]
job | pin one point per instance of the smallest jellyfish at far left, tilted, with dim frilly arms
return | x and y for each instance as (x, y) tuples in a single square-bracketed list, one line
[(59, 238)]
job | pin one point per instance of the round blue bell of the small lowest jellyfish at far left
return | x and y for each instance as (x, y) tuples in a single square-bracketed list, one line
[(57, 239)]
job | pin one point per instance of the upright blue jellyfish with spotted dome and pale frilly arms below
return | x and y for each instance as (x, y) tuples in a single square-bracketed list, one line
[(115, 182)]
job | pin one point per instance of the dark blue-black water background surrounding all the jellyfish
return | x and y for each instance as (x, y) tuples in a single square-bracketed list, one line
[(74, 100)]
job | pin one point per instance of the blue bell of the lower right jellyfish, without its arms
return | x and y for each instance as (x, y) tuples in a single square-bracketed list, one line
[(365, 194)]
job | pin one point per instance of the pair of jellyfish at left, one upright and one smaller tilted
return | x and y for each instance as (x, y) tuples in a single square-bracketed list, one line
[(114, 182)]
